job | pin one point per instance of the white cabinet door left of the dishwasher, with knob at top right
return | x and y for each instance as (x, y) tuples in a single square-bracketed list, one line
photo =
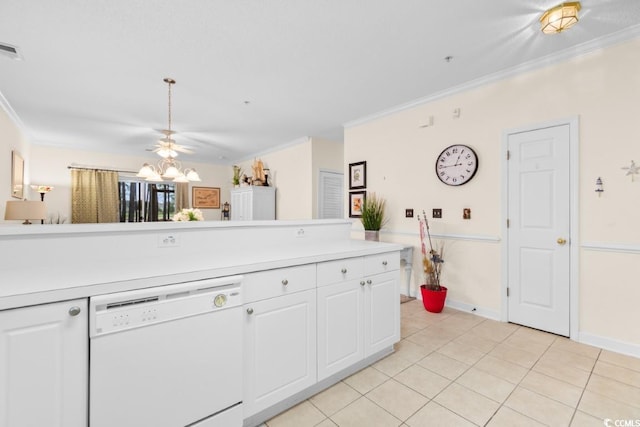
[(43, 365)]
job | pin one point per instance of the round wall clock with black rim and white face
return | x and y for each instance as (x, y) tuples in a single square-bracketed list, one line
[(456, 165)]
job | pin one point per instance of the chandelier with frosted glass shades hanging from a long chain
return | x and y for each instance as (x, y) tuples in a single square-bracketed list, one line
[(168, 168)]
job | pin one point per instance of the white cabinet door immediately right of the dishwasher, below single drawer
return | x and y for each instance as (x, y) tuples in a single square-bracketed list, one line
[(280, 349)]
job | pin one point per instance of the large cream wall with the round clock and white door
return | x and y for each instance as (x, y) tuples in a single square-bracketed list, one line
[(601, 88)]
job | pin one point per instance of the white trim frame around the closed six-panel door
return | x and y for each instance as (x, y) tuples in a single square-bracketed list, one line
[(574, 217)]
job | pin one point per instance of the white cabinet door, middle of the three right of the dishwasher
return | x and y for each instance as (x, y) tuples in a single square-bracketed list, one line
[(340, 326)]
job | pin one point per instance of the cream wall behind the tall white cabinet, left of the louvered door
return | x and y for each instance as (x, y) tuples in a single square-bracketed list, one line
[(291, 174)]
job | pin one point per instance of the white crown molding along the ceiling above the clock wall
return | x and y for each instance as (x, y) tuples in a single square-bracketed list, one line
[(555, 58)]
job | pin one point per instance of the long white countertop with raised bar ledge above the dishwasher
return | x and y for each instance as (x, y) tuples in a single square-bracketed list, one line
[(60, 262)]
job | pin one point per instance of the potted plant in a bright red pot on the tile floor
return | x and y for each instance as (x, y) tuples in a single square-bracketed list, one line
[(433, 293)]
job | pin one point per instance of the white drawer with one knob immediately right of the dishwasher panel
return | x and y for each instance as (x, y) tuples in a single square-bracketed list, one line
[(282, 281)]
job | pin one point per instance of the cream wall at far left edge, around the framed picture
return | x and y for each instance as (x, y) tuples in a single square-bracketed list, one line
[(11, 138)]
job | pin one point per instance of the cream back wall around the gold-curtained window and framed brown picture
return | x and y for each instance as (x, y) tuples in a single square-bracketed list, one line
[(49, 166)]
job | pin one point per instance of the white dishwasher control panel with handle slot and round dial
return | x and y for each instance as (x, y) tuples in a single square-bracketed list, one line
[(134, 309)]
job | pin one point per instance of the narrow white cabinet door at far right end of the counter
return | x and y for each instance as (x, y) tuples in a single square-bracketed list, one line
[(382, 312)]
